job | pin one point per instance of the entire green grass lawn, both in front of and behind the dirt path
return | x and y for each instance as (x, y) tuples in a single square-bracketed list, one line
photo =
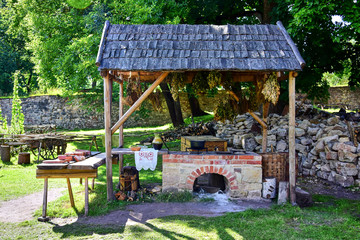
[(329, 218)]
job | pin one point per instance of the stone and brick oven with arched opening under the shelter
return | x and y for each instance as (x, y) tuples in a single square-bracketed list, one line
[(242, 173)]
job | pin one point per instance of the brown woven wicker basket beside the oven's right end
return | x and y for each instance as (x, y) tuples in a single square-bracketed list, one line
[(277, 165)]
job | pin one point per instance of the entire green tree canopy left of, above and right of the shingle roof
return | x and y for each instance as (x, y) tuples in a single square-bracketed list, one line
[(56, 41)]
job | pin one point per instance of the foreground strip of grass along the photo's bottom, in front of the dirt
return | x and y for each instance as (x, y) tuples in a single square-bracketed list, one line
[(329, 218)]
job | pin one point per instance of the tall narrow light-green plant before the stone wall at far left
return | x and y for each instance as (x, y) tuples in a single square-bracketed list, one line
[(17, 116)]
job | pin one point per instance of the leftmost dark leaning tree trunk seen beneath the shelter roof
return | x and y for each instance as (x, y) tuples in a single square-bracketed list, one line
[(173, 106)]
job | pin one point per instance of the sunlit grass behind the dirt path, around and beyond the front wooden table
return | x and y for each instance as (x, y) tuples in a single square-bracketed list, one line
[(19, 180)]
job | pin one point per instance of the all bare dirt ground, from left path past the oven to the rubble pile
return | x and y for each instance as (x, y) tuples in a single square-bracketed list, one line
[(22, 209)]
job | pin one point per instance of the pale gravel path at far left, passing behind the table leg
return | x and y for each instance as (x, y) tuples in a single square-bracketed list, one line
[(23, 208)]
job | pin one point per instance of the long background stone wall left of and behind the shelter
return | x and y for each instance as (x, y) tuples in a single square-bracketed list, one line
[(44, 110)]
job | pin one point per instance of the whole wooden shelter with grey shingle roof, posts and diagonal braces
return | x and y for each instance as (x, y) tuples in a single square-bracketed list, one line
[(150, 52)]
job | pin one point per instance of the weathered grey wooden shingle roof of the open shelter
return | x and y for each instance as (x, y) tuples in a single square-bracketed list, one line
[(197, 47)]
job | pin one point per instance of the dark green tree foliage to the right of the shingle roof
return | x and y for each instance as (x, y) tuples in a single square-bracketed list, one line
[(325, 46)]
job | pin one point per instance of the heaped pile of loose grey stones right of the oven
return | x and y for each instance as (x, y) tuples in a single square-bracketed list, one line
[(323, 144)]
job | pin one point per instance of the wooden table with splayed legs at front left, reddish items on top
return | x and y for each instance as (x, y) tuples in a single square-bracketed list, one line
[(83, 169)]
